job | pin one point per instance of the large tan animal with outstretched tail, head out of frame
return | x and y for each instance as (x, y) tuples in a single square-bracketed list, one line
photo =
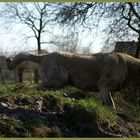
[(103, 72)]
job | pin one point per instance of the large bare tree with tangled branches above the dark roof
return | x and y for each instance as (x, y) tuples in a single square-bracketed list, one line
[(123, 18)]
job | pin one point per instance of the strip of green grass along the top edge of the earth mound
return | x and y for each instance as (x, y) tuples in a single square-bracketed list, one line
[(55, 97)]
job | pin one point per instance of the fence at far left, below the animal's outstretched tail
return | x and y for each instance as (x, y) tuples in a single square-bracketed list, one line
[(27, 72)]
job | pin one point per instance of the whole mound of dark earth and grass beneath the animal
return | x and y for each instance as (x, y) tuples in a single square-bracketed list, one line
[(25, 112)]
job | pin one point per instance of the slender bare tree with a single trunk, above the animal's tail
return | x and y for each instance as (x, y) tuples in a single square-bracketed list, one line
[(35, 15)]
